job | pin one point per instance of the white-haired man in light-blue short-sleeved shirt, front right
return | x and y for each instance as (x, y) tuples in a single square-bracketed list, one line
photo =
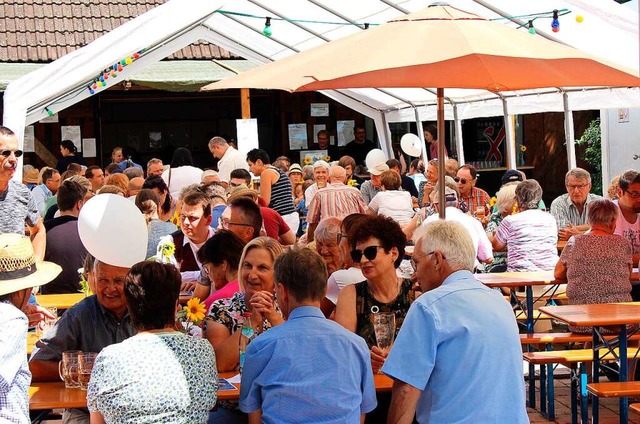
[(456, 321)]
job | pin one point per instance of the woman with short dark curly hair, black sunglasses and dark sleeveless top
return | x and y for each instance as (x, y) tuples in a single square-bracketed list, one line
[(378, 248)]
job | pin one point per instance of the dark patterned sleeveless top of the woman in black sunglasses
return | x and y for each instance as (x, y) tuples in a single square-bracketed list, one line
[(365, 301)]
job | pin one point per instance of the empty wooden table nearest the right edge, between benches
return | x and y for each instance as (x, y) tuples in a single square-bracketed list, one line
[(596, 316)]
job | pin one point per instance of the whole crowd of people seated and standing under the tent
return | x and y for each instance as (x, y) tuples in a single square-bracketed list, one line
[(307, 255)]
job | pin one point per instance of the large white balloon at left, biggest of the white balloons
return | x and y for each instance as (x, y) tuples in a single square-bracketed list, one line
[(113, 230)]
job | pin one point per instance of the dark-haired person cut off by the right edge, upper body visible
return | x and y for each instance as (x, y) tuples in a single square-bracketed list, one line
[(628, 223)]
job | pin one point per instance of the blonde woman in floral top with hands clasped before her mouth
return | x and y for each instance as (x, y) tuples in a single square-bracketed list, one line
[(256, 295)]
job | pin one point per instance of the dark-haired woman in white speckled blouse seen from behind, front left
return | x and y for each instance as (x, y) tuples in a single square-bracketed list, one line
[(160, 374)]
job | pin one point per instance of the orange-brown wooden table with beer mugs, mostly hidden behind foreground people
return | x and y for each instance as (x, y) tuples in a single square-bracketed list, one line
[(53, 395)]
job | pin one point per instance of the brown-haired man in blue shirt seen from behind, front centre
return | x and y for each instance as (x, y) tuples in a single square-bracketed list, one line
[(308, 369)]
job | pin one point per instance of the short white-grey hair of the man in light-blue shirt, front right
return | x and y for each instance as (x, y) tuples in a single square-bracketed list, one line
[(450, 238)]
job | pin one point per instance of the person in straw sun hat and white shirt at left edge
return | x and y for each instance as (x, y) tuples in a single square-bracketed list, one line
[(19, 273)]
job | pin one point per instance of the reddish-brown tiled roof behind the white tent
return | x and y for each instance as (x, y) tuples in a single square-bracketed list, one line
[(45, 30)]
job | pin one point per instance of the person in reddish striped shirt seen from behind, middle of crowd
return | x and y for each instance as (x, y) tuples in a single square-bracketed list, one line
[(336, 200)]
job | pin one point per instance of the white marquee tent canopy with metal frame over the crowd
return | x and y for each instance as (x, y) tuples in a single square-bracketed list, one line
[(609, 30)]
